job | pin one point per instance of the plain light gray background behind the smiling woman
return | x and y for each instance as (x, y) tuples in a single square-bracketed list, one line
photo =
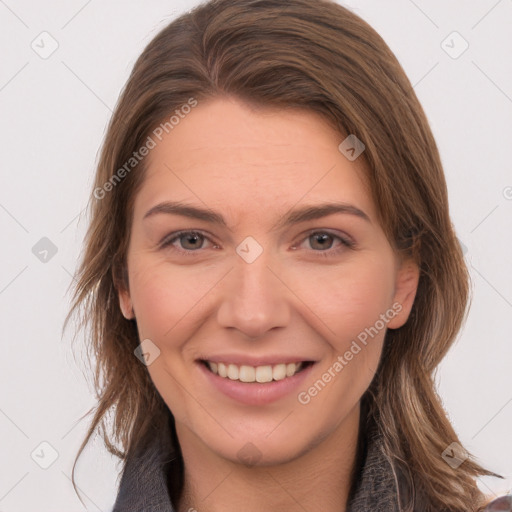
[(54, 114)]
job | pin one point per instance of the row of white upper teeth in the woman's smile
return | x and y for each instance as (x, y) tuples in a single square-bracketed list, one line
[(261, 374)]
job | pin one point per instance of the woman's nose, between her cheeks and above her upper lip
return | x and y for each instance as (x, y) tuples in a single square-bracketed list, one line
[(254, 298)]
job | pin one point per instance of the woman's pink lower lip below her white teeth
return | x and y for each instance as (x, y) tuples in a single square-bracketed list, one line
[(256, 393)]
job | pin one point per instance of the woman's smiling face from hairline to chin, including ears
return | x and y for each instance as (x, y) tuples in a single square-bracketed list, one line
[(269, 284)]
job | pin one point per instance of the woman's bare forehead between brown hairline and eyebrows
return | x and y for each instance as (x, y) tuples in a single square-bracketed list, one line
[(246, 162)]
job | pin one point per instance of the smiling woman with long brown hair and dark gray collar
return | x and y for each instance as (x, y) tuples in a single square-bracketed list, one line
[(271, 275)]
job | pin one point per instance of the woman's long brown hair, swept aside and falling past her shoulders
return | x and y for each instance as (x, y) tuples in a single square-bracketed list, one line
[(317, 55)]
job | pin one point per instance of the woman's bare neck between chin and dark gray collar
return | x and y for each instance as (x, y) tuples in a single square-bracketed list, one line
[(319, 479)]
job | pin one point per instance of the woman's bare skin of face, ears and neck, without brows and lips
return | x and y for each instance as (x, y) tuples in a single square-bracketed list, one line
[(253, 166)]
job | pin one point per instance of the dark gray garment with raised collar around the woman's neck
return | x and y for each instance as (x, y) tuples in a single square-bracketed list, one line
[(143, 486)]
